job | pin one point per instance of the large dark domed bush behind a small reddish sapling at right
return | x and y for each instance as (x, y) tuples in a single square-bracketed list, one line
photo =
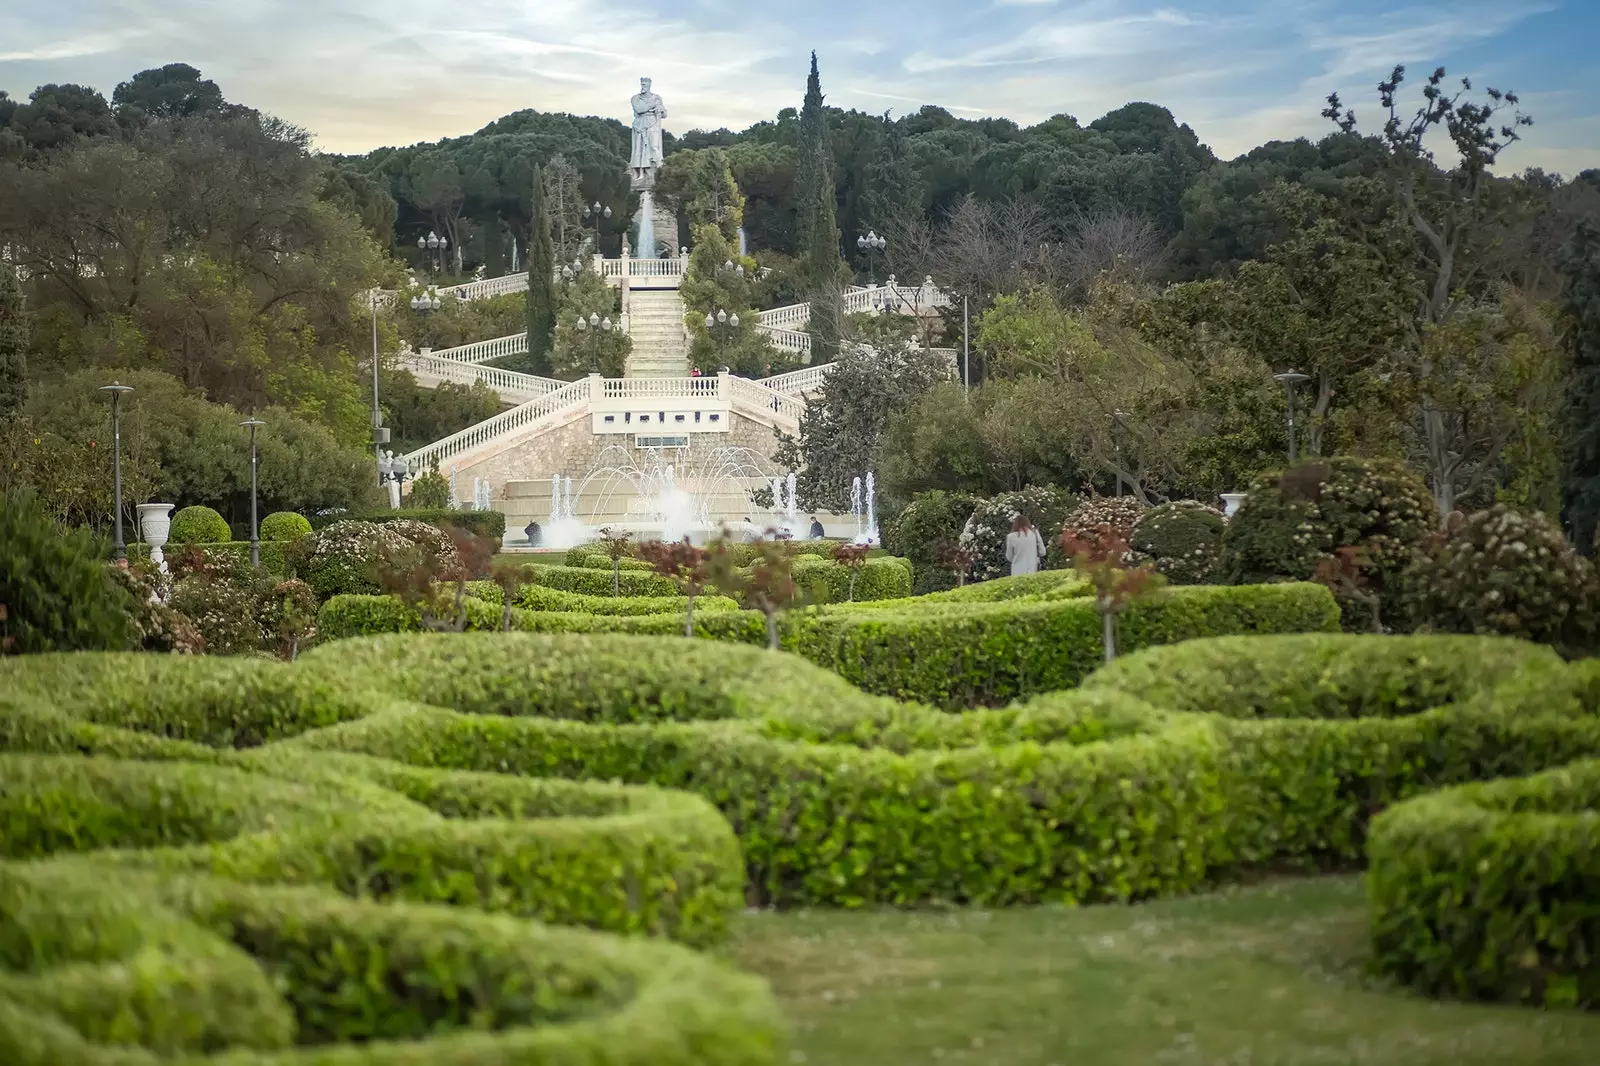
[(1292, 523)]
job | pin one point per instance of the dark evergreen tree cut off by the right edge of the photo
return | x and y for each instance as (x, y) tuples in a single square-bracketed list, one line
[(1582, 415)]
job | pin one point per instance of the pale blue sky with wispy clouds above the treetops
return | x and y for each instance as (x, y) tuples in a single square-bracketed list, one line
[(361, 74)]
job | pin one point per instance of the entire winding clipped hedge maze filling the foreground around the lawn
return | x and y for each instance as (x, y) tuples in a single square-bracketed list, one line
[(506, 849)]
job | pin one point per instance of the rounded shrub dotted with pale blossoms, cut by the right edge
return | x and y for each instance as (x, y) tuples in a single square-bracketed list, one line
[(1508, 572)]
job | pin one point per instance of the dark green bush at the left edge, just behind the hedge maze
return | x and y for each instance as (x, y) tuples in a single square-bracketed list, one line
[(55, 591)]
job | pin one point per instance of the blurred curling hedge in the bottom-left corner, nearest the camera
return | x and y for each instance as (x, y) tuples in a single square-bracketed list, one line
[(142, 969)]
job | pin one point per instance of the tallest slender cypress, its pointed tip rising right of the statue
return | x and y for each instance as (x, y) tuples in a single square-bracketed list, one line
[(822, 268)]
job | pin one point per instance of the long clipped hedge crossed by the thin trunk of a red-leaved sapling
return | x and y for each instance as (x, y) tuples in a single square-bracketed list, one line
[(991, 654)]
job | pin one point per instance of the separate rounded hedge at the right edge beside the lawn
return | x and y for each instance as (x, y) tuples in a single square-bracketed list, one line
[(1490, 891)]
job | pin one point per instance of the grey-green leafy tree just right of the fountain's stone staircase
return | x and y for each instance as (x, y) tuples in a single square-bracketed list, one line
[(844, 425)]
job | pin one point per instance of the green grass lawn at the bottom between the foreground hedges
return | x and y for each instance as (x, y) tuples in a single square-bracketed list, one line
[(1254, 977)]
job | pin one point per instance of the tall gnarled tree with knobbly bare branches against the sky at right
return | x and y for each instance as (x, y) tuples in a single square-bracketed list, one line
[(1447, 210)]
